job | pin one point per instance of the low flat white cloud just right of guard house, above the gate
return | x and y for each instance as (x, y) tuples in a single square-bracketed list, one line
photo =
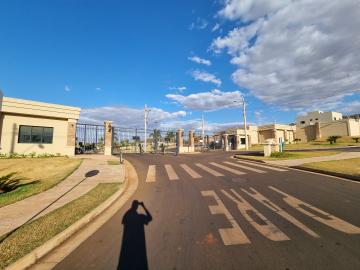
[(128, 117)]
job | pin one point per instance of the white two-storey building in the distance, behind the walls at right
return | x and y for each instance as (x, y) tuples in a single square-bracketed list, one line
[(317, 117)]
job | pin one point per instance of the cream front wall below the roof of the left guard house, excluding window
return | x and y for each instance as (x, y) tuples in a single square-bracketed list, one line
[(10, 131)]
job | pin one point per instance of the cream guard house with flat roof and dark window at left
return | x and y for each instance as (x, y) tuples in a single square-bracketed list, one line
[(29, 126)]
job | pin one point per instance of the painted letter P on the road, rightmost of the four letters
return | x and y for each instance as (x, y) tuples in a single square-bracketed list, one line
[(330, 220)]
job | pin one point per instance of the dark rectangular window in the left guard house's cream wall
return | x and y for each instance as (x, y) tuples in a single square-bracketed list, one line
[(29, 134)]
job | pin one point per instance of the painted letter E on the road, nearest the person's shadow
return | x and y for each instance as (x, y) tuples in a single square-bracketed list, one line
[(230, 236)]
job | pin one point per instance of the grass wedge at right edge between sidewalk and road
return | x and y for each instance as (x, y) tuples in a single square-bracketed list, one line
[(346, 166)]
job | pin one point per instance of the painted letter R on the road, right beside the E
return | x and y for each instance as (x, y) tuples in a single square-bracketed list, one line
[(266, 228)]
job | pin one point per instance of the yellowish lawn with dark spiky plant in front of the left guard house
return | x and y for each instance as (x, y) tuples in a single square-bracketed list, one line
[(36, 174)]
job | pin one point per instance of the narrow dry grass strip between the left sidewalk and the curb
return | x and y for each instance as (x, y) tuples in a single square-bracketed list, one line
[(34, 234)]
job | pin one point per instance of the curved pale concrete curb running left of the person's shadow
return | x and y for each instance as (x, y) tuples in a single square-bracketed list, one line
[(32, 257)]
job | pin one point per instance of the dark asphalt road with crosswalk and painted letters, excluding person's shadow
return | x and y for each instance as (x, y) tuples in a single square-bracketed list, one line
[(280, 230)]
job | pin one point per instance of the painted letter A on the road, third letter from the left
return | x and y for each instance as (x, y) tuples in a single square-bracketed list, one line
[(269, 204)]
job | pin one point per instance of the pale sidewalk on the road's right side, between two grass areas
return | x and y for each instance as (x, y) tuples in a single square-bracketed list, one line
[(298, 162)]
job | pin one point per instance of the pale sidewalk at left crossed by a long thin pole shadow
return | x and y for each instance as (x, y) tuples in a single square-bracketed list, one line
[(14, 215)]
